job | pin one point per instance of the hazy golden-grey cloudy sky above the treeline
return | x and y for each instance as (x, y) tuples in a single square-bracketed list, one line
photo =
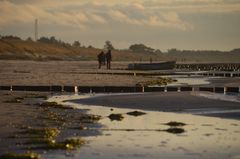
[(160, 24)]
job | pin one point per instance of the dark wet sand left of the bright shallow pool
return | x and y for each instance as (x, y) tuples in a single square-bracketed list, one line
[(17, 117)]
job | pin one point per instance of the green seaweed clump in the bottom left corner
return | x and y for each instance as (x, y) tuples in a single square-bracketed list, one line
[(27, 155)]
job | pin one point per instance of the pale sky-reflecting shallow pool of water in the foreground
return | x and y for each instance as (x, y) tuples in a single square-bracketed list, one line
[(205, 137)]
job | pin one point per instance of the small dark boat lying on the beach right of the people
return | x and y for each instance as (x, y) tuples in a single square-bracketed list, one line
[(167, 65)]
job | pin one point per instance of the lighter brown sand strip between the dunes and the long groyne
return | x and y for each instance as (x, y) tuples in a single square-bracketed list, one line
[(83, 73)]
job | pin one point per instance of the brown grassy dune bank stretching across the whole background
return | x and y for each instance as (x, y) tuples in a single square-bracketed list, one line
[(17, 49)]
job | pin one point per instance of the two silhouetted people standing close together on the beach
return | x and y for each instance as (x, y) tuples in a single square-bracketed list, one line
[(102, 58)]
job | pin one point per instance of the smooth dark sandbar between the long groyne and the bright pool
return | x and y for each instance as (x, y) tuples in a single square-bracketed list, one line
[(170, 102)]
